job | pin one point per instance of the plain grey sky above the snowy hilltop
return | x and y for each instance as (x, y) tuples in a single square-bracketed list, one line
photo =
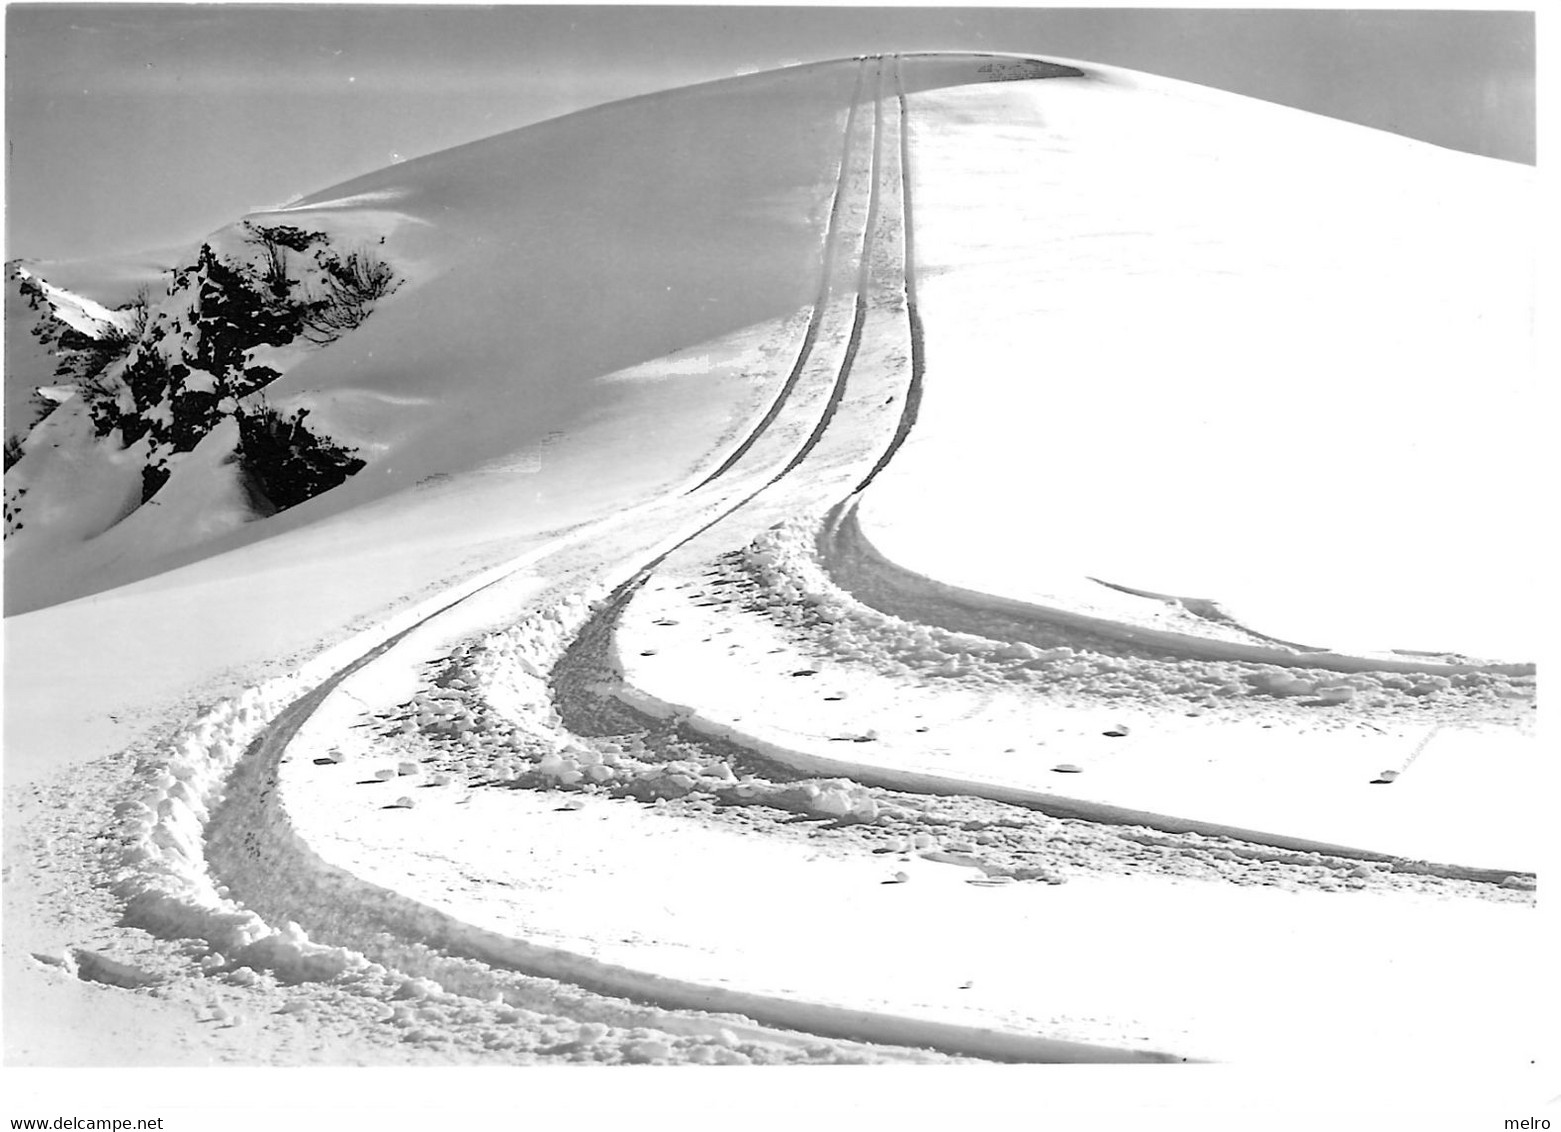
[(135, 127)]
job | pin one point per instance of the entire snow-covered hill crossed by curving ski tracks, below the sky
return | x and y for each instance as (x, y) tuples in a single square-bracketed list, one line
[(708, 663)]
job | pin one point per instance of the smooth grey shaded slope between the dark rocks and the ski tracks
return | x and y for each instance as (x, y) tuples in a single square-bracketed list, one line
[(549, 258)]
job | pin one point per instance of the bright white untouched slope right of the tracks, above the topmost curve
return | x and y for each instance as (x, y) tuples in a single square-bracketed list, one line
[(1220, 349)]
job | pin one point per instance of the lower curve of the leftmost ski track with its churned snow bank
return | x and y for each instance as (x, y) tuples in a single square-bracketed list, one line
[(252, 863)]
